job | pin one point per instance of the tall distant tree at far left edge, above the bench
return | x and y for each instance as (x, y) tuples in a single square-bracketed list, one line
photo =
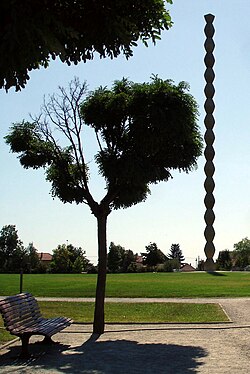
[(12, 252)]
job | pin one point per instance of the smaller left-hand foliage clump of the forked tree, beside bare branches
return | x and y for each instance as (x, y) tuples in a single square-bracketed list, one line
[(38, 151)]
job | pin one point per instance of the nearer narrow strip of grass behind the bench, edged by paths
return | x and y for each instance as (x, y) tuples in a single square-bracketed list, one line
[(130, 313)]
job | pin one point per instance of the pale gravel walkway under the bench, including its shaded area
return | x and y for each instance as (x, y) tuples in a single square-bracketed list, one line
[(147, 348)]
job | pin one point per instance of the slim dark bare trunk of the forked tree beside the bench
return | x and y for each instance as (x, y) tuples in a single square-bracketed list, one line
[(98, 327)]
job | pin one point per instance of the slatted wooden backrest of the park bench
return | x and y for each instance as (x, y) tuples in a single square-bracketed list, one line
[(20, 309)]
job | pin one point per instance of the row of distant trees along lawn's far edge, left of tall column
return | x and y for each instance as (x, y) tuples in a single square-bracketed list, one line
[(66, 258)]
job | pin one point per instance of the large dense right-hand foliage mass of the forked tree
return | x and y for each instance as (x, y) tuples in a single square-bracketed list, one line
[(149, 129)]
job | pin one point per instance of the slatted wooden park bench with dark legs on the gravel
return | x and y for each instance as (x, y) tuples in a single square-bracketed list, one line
[(23, 318)]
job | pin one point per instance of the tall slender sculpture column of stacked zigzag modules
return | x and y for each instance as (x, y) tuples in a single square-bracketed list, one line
[(209, 152)]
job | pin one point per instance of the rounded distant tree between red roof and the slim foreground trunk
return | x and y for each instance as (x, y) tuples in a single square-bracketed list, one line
[(68, 259)]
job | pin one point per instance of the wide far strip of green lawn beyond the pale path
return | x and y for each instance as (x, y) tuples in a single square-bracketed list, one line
[(226, 284)]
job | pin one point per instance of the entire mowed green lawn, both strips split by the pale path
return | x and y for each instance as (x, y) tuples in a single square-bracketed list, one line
[(226, 284)]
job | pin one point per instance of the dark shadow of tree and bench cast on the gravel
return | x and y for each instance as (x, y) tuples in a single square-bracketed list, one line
[(110, 357)]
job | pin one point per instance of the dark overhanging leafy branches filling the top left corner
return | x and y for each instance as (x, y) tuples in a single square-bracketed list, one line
[(34, 32)]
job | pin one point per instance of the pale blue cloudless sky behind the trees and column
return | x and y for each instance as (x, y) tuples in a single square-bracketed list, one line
[(174, 212)]
